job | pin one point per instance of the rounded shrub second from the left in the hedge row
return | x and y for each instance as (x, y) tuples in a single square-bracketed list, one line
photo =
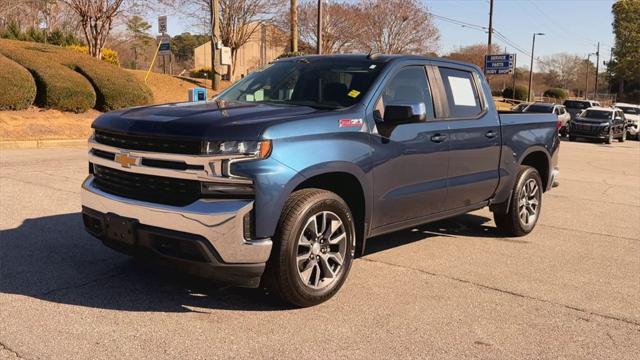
[(58, 87)]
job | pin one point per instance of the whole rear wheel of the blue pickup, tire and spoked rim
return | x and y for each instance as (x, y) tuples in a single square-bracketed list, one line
[(524, 209)]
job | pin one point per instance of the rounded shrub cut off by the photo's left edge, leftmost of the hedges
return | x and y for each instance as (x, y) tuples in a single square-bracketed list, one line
[(17, 87)]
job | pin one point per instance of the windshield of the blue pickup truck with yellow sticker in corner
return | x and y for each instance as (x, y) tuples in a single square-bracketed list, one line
[(323, 83)]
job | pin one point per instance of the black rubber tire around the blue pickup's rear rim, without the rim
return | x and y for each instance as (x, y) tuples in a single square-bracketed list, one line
[(510, 223)]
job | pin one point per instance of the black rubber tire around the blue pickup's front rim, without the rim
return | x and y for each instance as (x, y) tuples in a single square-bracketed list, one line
[(282, 275)]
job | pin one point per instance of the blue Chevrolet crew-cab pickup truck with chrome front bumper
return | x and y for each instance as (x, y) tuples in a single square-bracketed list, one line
[(279, 181)]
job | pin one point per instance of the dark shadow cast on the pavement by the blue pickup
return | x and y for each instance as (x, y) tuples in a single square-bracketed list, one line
[(53, 259)]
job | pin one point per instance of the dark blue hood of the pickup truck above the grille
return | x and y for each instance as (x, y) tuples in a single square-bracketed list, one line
[(213, 120)]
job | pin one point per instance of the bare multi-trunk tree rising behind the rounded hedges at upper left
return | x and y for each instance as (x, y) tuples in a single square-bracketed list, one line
[(96, 20)]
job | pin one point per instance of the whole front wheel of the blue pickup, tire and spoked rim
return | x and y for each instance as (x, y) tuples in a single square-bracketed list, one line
[(313, 248)]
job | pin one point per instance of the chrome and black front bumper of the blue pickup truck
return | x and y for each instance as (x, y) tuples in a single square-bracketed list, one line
[(205, 238)]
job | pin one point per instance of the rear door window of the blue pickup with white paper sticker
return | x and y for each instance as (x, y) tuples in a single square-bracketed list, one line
[(462, 93)]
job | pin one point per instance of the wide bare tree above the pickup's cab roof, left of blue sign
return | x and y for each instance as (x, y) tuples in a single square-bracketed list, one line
[(396, 27)]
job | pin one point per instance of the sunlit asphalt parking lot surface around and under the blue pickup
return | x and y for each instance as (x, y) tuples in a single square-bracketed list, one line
[(452, 289)]
